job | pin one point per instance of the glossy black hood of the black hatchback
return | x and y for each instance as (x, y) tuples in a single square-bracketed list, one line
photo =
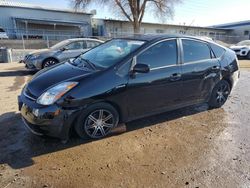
[(47, 78)]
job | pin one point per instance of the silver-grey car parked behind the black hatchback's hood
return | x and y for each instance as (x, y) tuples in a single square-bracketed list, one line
[(60, 52)]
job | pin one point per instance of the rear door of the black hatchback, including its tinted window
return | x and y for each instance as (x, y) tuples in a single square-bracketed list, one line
[(200, 70)]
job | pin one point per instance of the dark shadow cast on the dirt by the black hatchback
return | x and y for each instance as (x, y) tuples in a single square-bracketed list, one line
[(18, 146)]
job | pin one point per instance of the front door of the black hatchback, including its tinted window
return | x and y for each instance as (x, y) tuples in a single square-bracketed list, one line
[(160, 88)]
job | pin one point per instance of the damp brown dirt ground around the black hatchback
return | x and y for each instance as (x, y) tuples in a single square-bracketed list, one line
[(192, 147)]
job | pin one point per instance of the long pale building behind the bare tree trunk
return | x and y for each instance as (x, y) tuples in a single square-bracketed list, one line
[(110, 27)]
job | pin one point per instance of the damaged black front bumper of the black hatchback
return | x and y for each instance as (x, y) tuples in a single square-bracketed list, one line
[(46, 120)]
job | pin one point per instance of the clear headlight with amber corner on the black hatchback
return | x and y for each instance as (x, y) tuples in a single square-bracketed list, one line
[(55, 93)]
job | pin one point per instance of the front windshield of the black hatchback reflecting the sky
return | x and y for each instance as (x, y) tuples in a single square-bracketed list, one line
[(109, 53)]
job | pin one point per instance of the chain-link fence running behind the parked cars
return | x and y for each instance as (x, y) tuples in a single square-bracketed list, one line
[(22, 42)]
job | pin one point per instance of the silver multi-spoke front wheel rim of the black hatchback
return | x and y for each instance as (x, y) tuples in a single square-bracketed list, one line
[(99, 123)]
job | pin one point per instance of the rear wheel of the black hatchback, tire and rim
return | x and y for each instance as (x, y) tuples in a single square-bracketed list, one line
[(219, 94)]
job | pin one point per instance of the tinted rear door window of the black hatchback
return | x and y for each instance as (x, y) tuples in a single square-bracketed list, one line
[(195, 51)]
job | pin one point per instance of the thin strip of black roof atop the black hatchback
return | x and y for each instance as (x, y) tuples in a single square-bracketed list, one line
[(151, 37)]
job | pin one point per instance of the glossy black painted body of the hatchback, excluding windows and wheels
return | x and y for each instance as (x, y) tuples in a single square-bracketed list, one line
[(133, 94)]
